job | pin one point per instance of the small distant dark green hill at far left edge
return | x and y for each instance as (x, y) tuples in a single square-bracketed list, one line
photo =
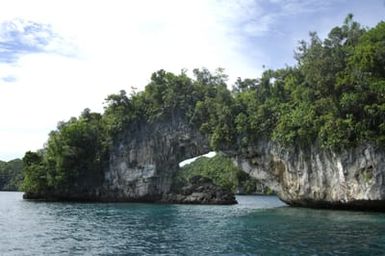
[(11, 175)]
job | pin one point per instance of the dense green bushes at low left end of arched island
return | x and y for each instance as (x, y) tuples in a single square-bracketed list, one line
[(72, 159)]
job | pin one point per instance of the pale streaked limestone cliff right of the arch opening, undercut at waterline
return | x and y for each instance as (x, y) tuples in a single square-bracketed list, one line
[(352, 179)]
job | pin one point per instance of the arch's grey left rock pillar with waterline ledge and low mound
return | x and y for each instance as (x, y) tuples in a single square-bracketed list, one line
[(142, 164)]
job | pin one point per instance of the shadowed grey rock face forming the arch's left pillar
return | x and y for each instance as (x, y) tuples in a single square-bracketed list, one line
[(144, 160)]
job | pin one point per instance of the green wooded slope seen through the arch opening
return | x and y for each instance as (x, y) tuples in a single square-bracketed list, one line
[(221, 171)]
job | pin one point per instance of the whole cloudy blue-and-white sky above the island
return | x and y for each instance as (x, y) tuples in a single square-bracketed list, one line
[(59, 57)]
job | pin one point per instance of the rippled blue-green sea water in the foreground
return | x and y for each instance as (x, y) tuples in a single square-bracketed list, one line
[(256, 226)]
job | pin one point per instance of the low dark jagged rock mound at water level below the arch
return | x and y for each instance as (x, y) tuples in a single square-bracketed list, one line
[(199, 190)]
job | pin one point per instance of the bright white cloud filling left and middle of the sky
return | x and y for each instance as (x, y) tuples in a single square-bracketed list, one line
[(117, 44)]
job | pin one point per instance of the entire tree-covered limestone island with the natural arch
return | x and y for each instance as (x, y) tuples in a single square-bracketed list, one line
[(313, 132)]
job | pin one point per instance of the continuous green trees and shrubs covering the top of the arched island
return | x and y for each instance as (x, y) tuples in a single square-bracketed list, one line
[(333, 97)]
